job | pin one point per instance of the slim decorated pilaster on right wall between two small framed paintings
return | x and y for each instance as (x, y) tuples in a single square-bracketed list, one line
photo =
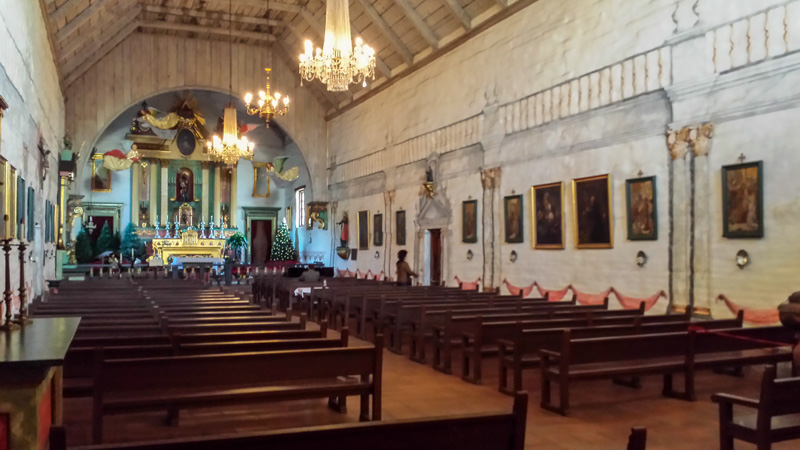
[(490, 181)]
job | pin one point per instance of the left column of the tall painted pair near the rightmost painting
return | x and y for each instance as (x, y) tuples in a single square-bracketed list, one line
[(679, 213)]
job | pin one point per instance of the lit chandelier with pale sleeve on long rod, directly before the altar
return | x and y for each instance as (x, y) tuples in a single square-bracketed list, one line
[(230, 148)]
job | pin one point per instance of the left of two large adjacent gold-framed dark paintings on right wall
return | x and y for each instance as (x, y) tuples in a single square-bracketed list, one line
[(548, 216)]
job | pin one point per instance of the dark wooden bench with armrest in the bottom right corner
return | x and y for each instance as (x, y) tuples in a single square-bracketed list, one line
[(776, 415)]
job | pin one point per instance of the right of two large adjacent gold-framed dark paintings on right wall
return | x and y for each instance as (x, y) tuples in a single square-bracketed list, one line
[(591, 198)]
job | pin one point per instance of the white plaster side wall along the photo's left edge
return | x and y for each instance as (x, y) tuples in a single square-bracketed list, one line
[(29, 83)]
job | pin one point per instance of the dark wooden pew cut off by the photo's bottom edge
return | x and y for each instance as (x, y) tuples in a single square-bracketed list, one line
[(486, 431)]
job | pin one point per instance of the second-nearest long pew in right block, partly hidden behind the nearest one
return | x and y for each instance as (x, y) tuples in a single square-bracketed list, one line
[(522, 352)]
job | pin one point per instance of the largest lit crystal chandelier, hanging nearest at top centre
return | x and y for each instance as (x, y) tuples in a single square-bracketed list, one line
[(338, 64)]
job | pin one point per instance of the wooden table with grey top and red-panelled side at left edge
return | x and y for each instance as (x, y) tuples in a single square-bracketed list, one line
[(31, 381)]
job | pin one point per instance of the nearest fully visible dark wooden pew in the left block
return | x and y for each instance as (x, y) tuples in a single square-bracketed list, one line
[(180, 382)]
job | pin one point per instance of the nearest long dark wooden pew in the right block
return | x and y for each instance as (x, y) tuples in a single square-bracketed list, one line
[(658, 354)]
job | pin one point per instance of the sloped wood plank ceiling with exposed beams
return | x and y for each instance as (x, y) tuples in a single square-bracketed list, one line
[(403, 32)]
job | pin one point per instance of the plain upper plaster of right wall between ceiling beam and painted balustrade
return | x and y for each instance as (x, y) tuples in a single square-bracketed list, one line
[(541, 46)]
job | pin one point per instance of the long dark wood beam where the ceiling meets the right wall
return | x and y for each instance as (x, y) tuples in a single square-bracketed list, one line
[(435, 55)]
